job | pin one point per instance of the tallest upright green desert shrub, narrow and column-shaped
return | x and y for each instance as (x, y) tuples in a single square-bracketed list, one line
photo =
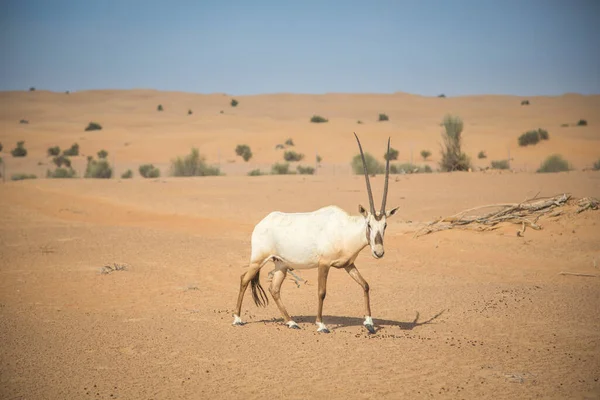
[(453, 158)]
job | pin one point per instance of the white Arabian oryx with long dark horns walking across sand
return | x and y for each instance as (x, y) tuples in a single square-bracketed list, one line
[(322, 239)]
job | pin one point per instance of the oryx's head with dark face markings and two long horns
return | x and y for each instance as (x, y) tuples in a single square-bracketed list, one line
[(376, 221)]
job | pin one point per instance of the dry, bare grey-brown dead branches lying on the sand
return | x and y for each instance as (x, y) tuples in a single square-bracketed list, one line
[(525, 213)]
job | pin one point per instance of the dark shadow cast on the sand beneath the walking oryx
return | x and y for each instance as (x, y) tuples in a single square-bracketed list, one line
[(335, 322)]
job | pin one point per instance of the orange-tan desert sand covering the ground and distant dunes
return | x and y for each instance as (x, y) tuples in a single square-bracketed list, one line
[(459, 313)]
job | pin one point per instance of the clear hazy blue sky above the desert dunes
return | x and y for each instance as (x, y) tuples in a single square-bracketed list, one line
[(426, 47)]
